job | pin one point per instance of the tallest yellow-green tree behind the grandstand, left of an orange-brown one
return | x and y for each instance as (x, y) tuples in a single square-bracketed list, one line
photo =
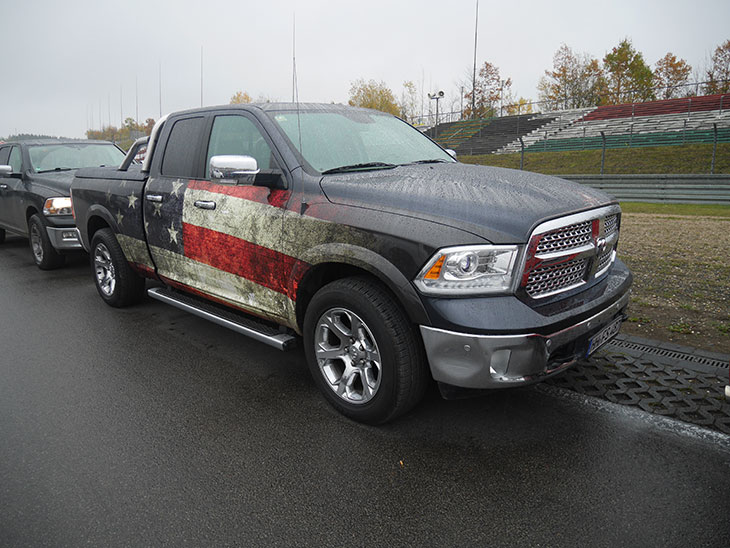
[(628, 77)]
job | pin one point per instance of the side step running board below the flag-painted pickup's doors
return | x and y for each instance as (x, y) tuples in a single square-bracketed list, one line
[(225, 317)]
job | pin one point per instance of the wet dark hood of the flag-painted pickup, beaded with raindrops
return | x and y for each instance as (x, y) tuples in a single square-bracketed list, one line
[(500, 205)]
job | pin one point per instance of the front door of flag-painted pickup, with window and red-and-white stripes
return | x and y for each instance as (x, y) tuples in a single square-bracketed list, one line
[(231, 232)]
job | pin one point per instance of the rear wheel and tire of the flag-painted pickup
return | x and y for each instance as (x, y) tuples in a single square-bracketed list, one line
[(115, 281)]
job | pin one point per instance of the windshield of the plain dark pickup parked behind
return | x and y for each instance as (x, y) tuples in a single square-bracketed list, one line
[(73, 156)]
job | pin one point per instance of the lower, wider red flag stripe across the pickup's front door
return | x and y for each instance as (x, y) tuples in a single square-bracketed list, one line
[(261, 265)]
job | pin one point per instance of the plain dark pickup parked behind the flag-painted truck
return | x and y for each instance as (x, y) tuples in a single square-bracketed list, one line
[(35, 178)]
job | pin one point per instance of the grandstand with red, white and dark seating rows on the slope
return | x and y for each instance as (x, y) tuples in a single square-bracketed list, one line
[(654, 123)]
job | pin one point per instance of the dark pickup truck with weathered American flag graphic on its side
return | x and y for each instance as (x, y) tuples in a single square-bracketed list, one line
[(348, 227)]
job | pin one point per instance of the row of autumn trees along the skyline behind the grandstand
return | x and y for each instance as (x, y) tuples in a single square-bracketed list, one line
[(576, 80)]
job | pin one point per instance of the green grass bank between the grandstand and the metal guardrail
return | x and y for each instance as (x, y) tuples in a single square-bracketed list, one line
[(695, 158)]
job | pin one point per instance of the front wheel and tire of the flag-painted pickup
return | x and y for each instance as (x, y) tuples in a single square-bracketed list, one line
[(363, 352)]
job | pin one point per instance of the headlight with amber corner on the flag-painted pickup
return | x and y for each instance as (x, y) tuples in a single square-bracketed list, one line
[(469, 270)]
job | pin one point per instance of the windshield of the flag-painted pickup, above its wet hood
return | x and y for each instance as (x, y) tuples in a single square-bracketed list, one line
[(341, 140)]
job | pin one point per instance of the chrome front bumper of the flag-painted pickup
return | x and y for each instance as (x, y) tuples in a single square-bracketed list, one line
[(496, 361)]
